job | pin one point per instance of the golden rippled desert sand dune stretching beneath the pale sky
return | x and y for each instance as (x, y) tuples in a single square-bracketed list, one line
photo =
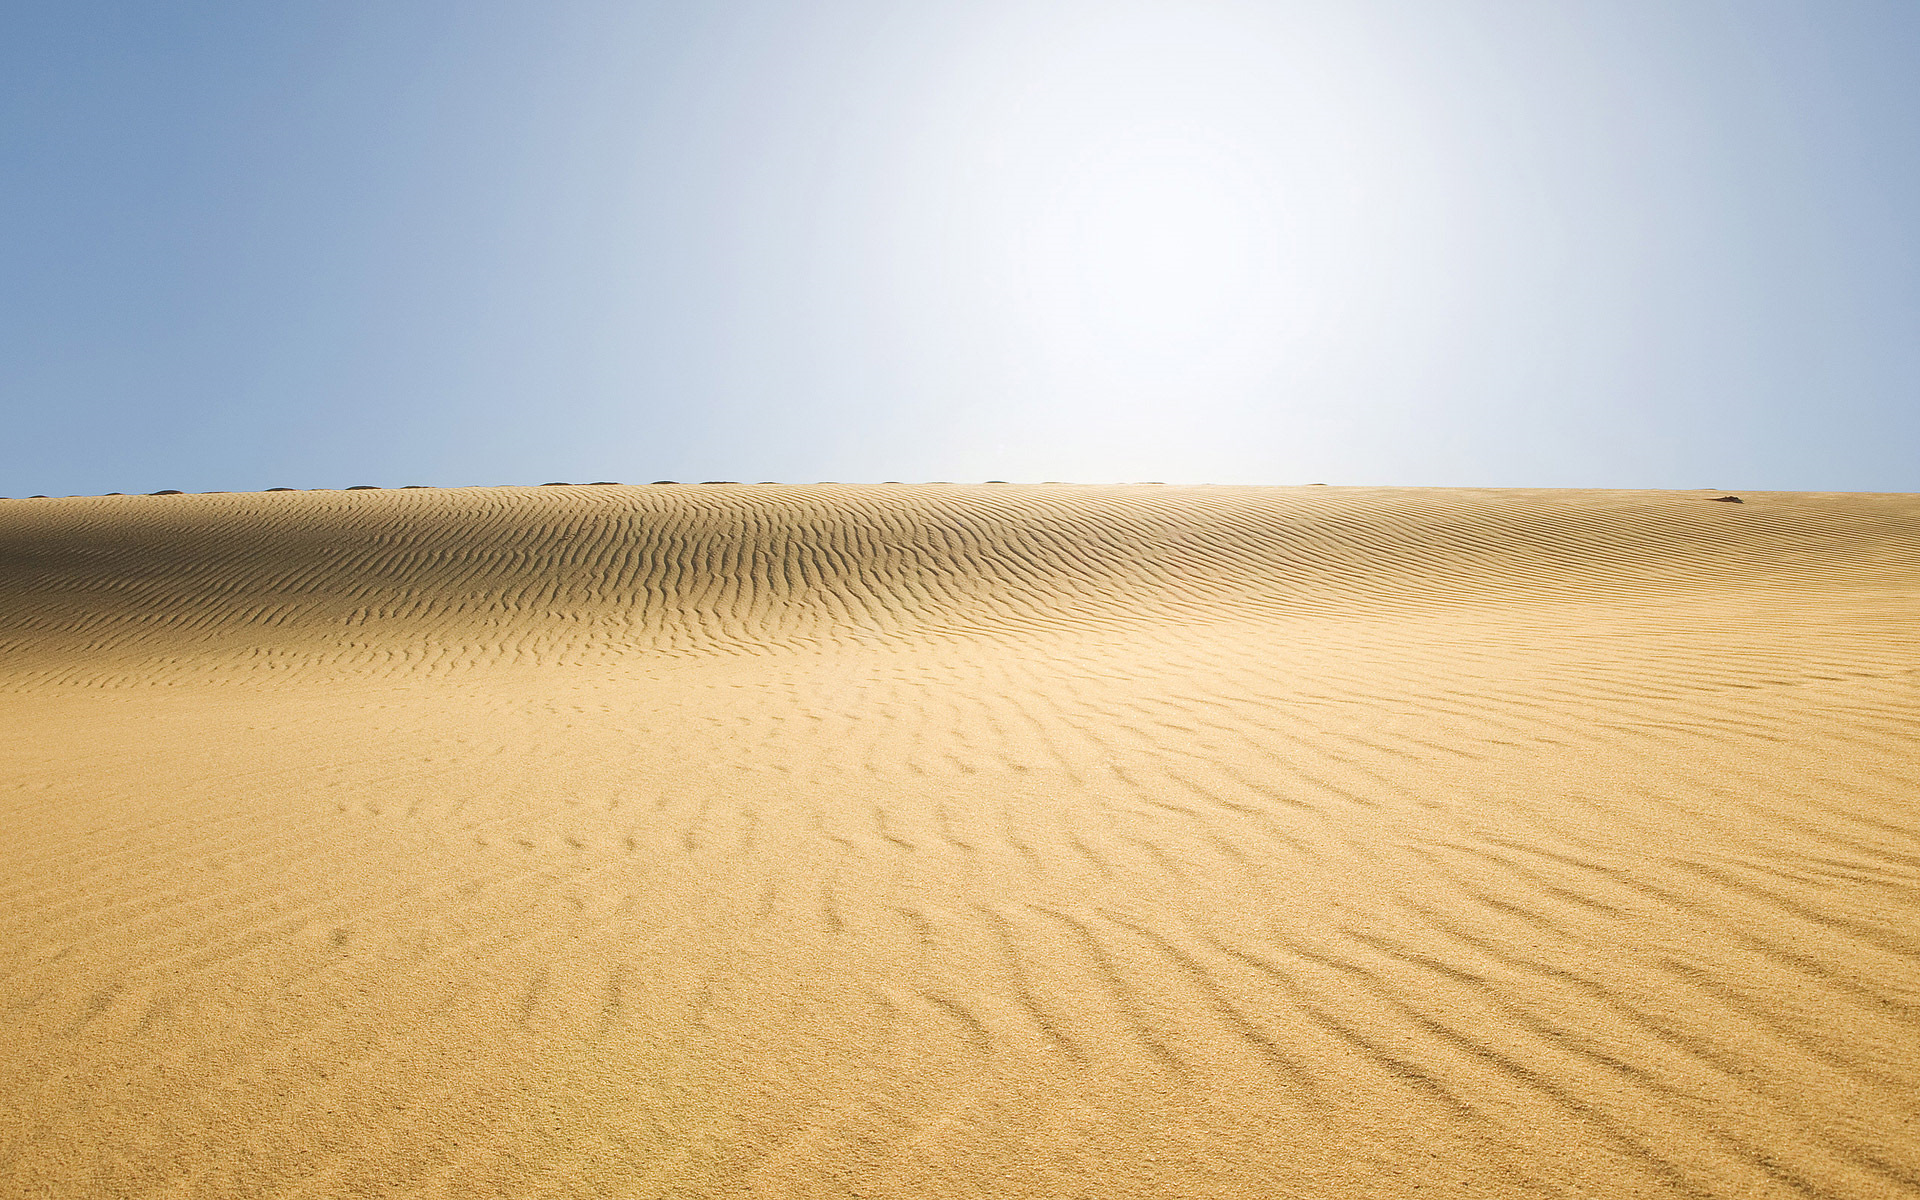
[(961, 842)]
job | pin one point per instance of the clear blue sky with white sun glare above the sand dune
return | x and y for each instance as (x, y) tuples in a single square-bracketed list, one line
[(1485, 243)]
